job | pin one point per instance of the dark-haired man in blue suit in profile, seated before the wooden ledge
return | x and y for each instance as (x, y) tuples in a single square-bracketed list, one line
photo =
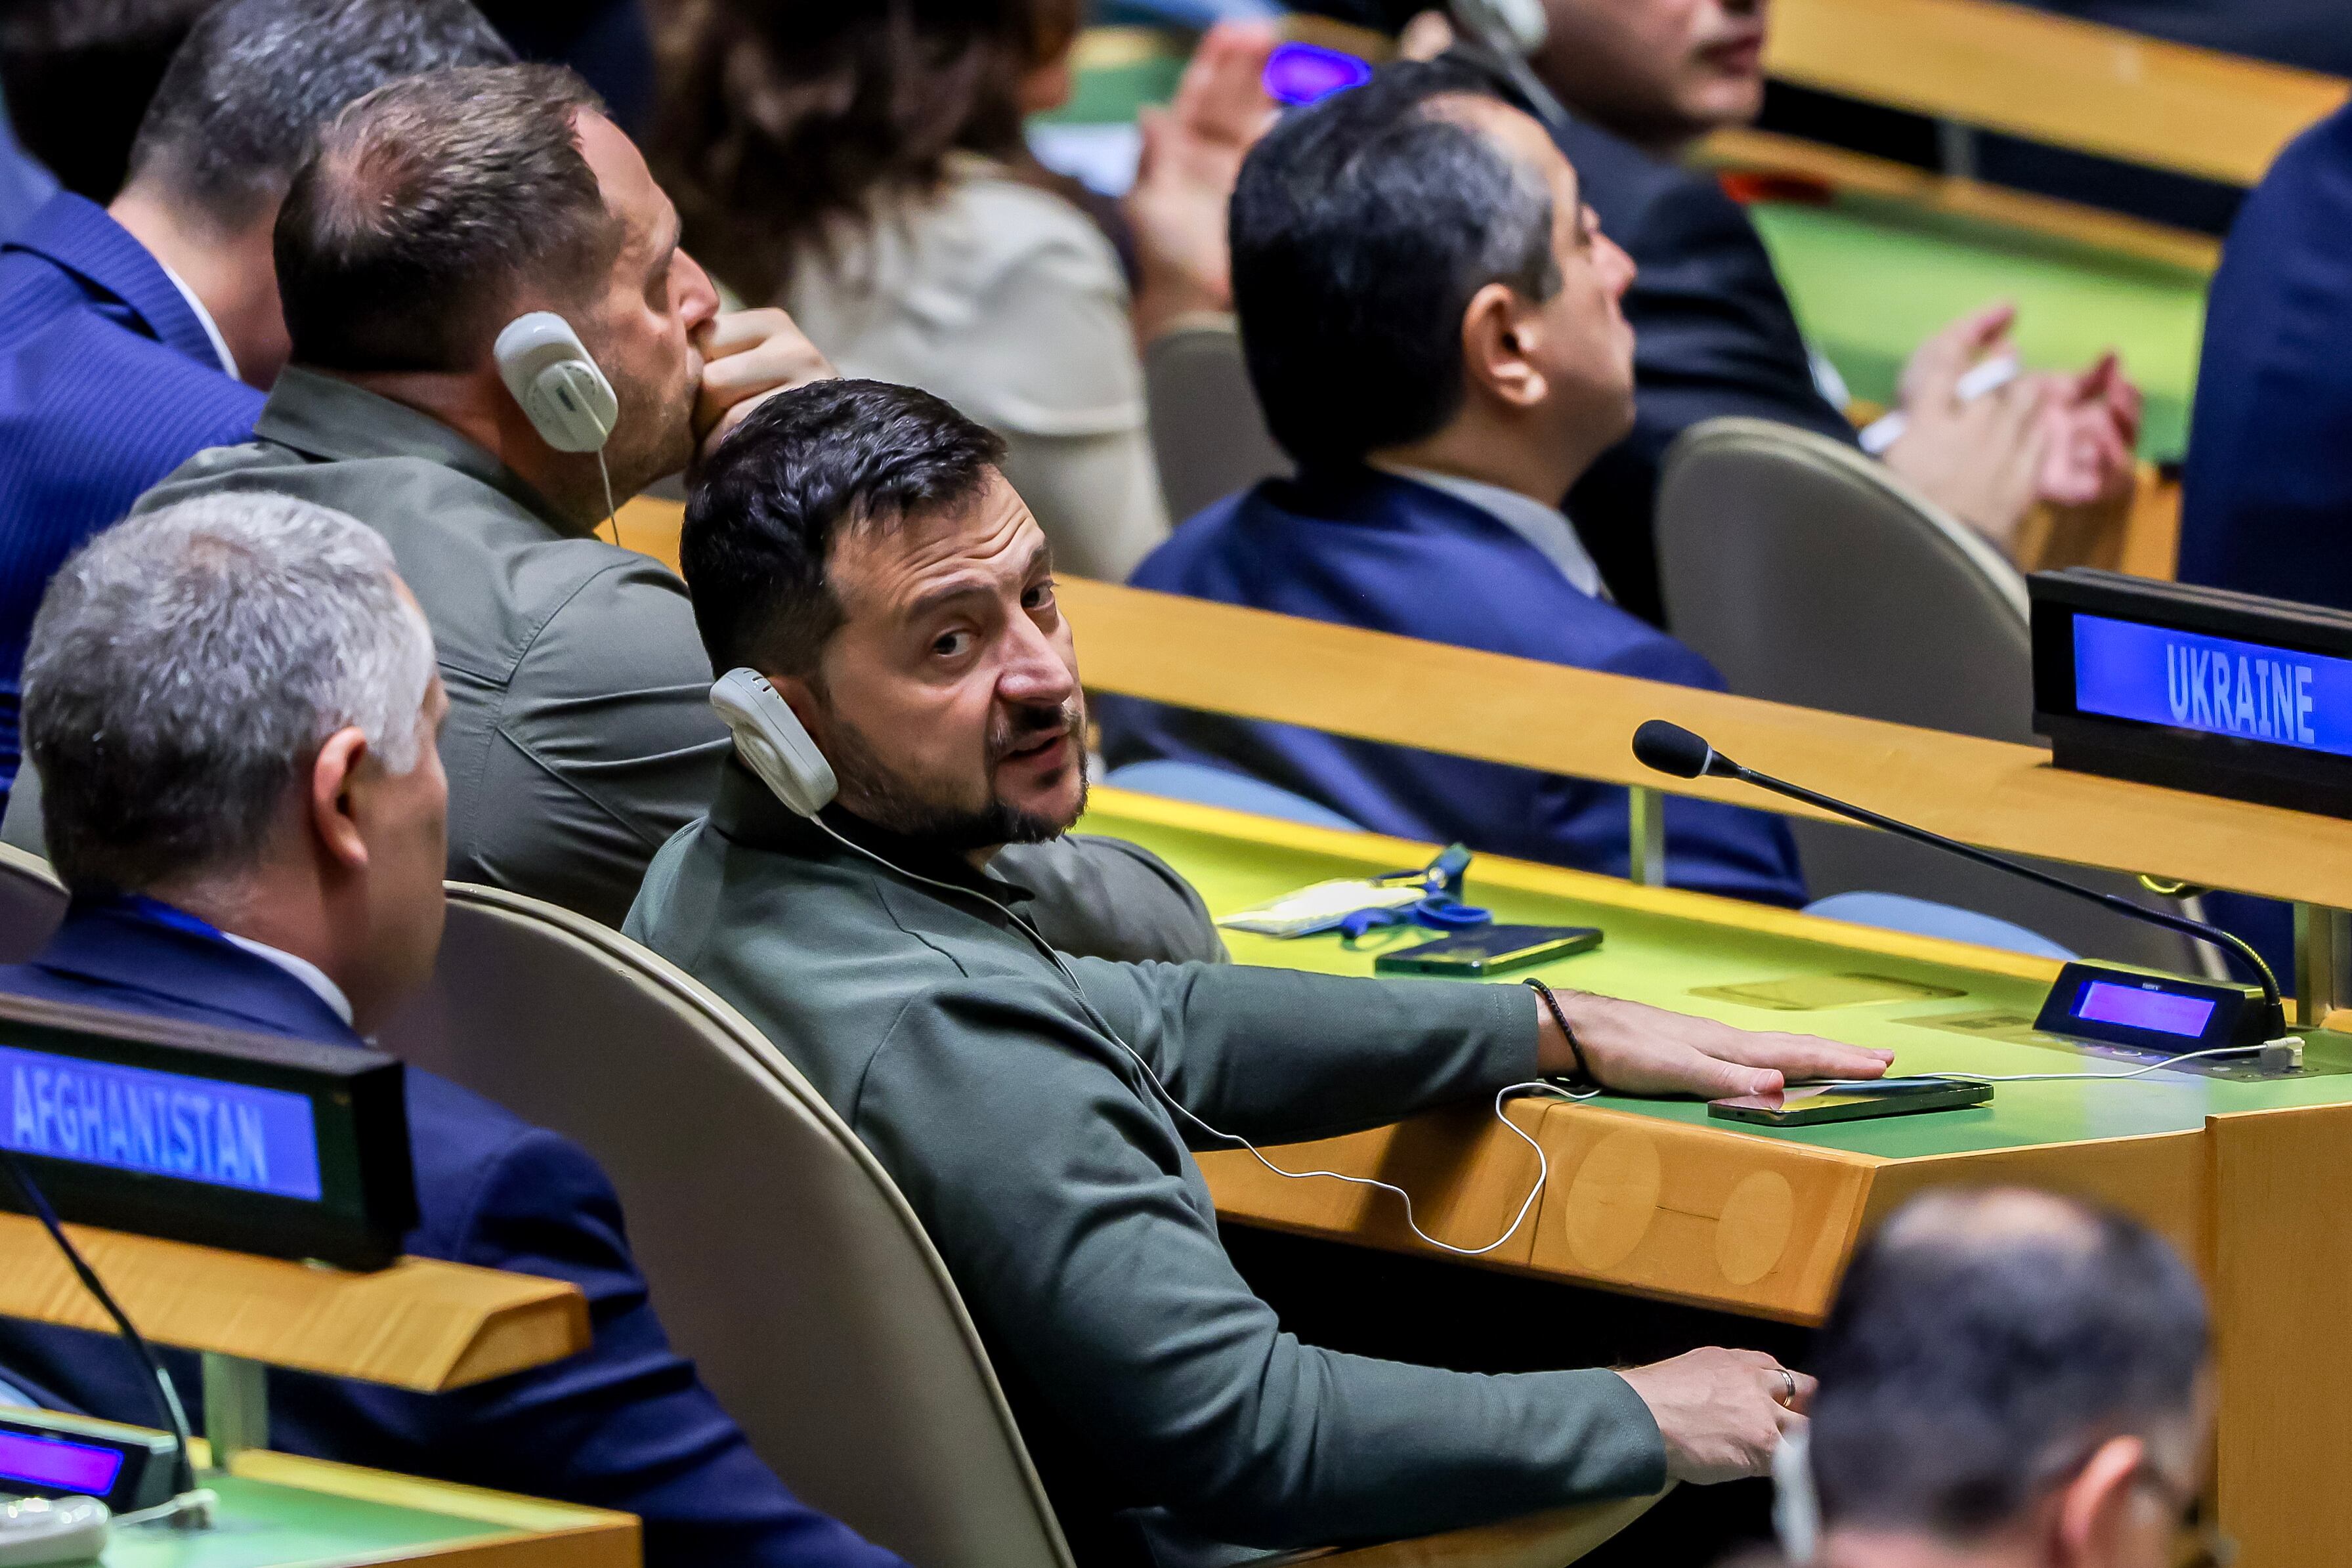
[(1434, 328)]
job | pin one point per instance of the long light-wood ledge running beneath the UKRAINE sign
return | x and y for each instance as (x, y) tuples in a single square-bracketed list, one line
[(1577, 723)]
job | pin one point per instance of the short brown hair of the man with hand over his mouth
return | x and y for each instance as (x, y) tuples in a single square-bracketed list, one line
[(427, 203)]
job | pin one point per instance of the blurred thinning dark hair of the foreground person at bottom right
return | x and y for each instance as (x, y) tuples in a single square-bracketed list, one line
[(1972, 1360)]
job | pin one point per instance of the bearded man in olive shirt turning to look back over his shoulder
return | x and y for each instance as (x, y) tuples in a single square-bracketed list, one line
[(860, 549)]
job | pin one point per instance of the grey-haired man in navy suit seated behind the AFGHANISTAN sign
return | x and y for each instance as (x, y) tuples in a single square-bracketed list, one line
[(265, 852)]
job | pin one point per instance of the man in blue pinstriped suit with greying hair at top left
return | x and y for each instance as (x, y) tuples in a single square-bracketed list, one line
[(135, 335)]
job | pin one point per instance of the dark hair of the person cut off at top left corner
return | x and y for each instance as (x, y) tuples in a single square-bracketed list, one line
[(79, 79)]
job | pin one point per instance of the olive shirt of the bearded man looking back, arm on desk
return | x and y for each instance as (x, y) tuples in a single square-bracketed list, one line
[(1158, 1395)]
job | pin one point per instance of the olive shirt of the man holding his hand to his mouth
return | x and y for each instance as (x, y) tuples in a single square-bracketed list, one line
[(580, 695)]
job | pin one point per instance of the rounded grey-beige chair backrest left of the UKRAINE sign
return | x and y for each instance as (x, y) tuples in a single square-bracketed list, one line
[(1815, 577)]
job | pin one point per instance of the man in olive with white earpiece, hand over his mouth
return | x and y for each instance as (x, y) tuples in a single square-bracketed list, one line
[(497, 340)]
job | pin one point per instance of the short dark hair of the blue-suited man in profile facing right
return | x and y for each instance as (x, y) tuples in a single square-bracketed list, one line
[(1361, 232)]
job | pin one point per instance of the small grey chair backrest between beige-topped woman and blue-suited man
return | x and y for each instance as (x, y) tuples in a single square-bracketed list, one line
[(1208, 429)]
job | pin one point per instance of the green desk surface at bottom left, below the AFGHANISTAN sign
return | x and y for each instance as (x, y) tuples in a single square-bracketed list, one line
[(281, 1527)]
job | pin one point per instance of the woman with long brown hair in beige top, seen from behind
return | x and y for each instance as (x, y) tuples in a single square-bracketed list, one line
[(864, 166)]
